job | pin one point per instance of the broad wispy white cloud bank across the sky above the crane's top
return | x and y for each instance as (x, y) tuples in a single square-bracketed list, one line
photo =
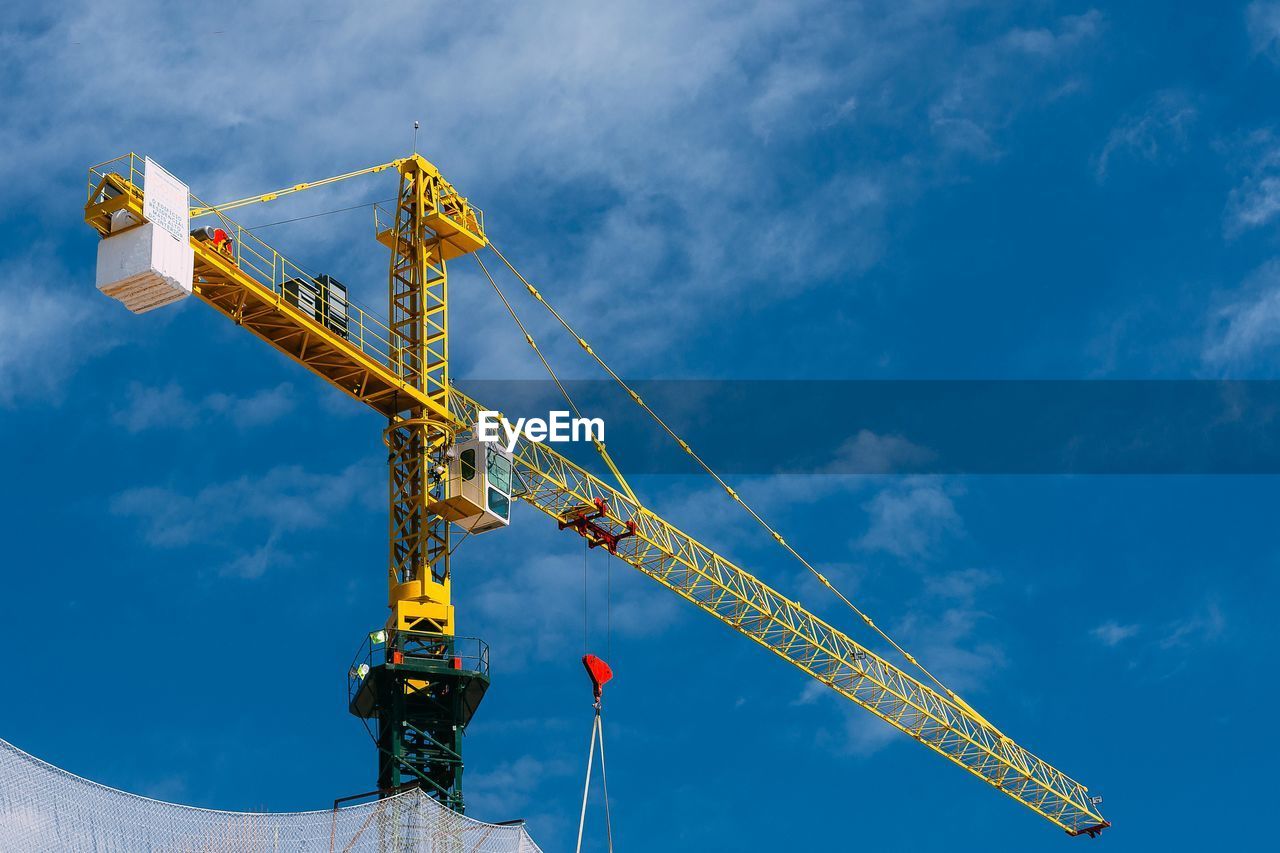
[(628, 111)]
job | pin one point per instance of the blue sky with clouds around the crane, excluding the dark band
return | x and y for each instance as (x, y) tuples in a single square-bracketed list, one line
[(195, 528)]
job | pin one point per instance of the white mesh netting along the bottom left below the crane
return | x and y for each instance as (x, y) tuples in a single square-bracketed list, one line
[(47, 810)]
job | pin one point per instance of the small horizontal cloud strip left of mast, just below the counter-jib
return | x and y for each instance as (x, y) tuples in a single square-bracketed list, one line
[(170, 408)]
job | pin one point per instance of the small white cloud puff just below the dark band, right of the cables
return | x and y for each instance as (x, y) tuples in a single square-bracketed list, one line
[(911, 519)]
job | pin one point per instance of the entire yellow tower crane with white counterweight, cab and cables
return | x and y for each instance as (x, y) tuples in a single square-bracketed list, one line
[(415, 678)]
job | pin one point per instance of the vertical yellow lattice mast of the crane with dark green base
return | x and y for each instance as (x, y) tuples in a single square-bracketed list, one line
[(419, 691)]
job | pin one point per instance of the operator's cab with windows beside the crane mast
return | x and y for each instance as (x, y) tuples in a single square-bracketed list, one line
[(479, 489)]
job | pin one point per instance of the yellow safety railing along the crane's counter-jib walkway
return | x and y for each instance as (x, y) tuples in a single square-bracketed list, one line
[(269, 268)]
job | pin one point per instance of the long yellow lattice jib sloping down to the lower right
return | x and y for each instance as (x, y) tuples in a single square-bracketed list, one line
[(692, 571)]
